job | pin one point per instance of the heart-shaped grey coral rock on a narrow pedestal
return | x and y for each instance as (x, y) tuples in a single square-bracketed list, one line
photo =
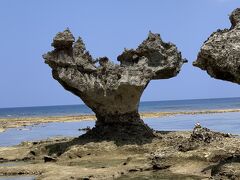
[(112, 91)]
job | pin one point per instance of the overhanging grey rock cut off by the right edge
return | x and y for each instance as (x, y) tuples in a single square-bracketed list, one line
[(220, 54)]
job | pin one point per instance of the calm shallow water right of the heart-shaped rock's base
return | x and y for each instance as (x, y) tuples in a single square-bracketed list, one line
[(224, 122)]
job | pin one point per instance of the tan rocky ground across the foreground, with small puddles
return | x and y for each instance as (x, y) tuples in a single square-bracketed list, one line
[(201, 154)]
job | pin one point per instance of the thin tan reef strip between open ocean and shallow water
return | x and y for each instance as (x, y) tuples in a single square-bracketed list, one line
[(6, 123)]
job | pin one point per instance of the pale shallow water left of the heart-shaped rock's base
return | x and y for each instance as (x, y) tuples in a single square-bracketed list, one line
[(15, 136)]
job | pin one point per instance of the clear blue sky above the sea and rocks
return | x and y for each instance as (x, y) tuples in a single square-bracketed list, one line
[(107, 27)]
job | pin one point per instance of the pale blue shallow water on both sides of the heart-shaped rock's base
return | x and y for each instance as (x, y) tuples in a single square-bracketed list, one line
[(224, 122)]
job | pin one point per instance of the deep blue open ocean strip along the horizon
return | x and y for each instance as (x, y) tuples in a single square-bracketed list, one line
[(150, 106)]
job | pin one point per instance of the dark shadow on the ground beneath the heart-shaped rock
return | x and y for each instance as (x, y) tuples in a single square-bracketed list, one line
[(120, 137)]
